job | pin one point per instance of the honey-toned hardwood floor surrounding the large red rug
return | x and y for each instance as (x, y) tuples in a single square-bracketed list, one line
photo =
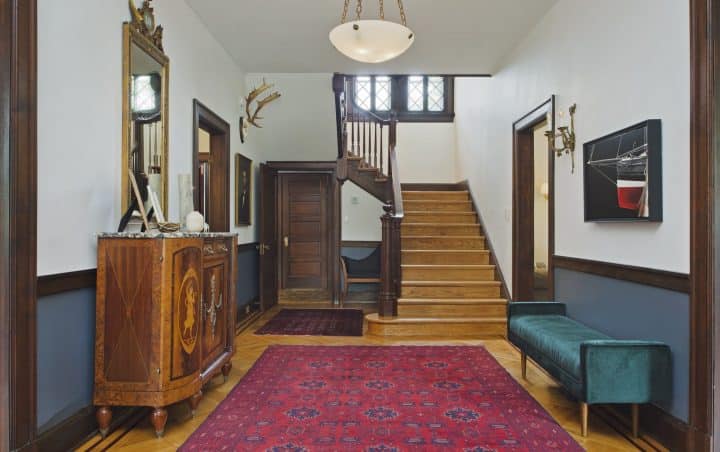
[(138, 434)]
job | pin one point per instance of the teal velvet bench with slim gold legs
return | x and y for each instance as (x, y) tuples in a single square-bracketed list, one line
[(593, 367)]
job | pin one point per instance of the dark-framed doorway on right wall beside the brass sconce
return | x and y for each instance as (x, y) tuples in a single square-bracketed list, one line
[(533, 205)]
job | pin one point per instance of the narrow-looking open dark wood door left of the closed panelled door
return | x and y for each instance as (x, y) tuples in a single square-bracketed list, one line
[(268, 238)]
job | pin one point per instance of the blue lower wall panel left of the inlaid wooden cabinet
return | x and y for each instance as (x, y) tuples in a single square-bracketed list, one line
[(65, 355)]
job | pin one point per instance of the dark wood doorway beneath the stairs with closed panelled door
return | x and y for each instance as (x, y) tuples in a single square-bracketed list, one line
[(299, 233)]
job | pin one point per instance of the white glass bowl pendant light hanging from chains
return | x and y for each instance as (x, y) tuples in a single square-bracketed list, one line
[(372, 40)]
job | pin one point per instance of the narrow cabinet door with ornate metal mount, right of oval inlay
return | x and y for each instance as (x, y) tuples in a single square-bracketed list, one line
[(215, 306)]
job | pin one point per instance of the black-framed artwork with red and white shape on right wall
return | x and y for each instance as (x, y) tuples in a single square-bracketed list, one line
[(623, 175)]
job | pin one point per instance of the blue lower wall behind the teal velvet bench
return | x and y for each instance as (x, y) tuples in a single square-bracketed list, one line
[(628, 310)]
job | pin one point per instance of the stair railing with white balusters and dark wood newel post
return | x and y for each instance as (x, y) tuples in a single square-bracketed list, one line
[(363, 135)]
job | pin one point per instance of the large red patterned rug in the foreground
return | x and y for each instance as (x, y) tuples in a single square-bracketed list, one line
[(305, 398)]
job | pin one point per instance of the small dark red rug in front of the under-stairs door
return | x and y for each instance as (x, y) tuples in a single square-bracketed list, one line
[(315, 322)]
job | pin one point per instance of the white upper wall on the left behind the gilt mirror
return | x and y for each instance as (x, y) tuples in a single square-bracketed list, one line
[(80, 118)]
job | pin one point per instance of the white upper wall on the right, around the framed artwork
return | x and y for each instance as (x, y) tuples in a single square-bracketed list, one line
[(620, 68)]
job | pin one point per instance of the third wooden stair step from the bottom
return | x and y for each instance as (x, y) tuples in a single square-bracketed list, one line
[(450, 289)]
